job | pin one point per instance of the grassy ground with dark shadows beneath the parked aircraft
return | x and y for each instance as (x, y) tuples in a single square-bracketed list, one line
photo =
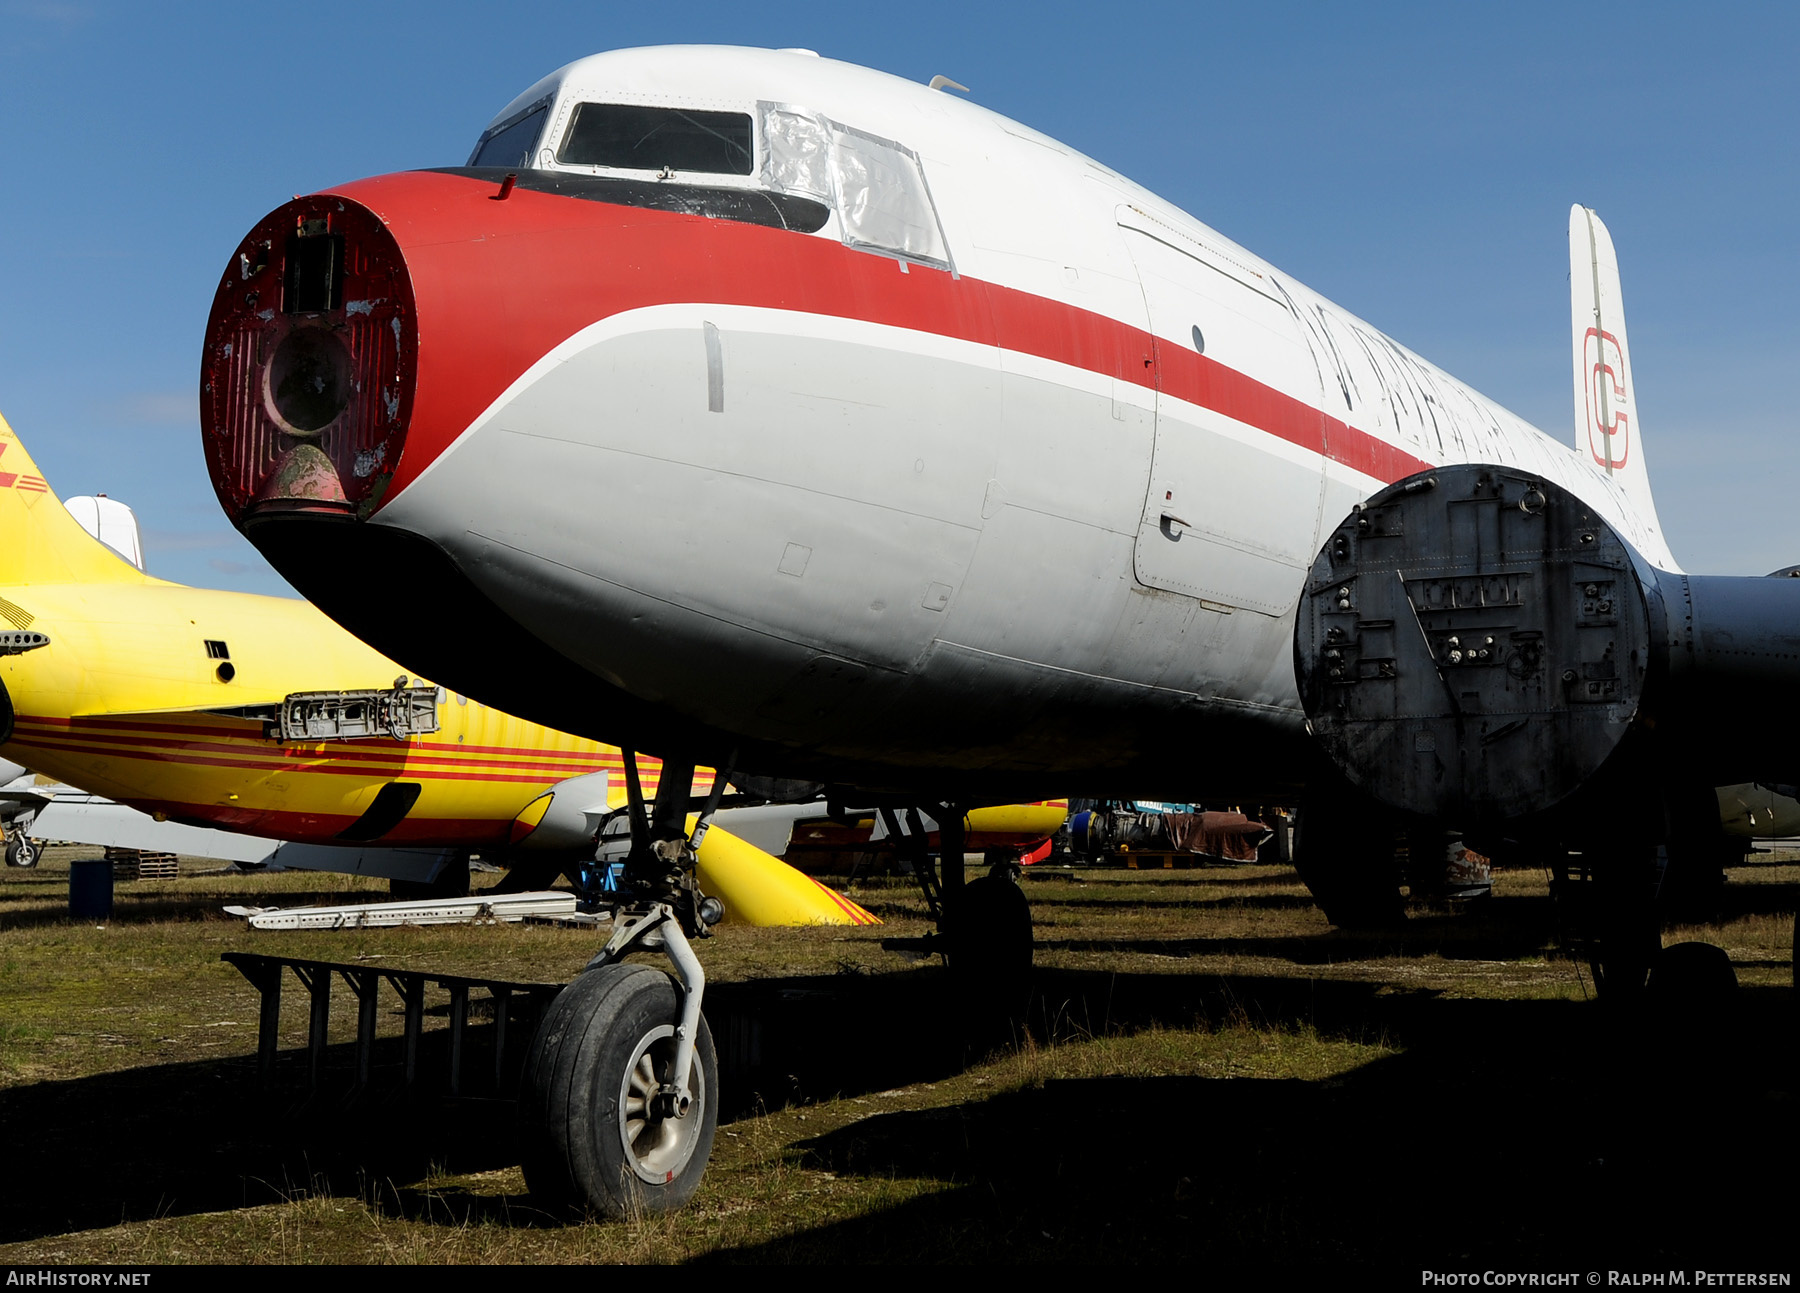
[(1210, 1074)]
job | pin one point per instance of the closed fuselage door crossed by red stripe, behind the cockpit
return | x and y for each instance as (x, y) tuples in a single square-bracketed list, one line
[(1232, 512)]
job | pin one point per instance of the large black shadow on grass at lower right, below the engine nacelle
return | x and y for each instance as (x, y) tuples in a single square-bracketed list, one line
[(1495, 1134)]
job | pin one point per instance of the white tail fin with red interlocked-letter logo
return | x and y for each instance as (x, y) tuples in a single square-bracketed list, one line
[(1606, 410)]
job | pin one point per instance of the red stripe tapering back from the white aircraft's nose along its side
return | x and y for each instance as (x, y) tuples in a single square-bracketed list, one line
[(499, 285)]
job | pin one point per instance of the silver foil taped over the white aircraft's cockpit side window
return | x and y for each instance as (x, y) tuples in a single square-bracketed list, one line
[(876, 185)]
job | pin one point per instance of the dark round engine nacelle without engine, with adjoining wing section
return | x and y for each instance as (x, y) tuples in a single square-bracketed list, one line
[(1479, 646)]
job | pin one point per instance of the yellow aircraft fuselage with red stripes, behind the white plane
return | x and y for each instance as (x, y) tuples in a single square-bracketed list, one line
[(132, 700)]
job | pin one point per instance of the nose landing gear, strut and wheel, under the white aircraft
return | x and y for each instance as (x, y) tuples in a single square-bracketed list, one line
[(620, 1101)]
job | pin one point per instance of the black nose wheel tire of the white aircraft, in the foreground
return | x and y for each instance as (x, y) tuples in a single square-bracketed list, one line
[(593, 1141)]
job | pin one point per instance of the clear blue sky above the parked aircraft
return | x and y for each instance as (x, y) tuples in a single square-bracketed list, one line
[(1414, 163)]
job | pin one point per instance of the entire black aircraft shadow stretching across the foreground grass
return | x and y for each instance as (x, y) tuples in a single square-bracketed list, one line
[(1489, 1128)]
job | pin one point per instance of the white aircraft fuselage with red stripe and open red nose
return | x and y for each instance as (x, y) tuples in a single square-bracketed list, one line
[(1021, 500)]
